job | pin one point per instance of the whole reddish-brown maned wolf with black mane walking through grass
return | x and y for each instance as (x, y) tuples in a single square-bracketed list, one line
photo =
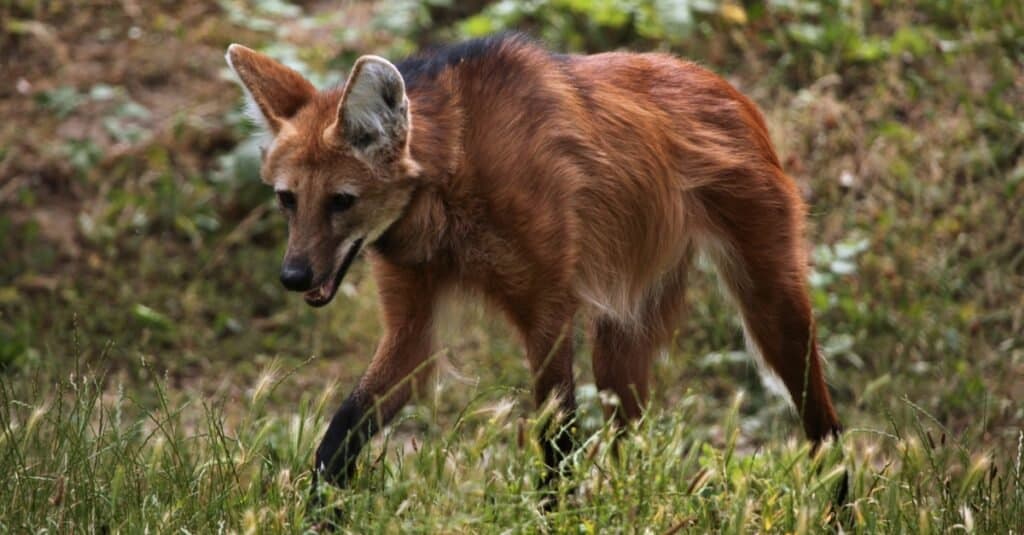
[(551, 185)]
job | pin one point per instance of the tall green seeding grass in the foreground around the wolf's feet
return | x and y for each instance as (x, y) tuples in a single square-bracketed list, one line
[(94, 459)]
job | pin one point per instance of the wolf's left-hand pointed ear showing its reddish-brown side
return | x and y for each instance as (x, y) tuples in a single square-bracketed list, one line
[(278, 92)]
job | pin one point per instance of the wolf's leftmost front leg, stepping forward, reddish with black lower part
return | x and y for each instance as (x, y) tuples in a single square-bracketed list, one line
[(401, 362)]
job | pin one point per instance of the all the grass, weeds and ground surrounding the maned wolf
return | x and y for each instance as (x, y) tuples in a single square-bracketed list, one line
[(154, 376)]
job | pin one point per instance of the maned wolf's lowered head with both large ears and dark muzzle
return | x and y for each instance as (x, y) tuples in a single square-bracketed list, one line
[(339, 162)]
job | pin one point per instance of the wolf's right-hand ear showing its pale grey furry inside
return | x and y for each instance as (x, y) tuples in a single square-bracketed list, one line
[(373, 116)]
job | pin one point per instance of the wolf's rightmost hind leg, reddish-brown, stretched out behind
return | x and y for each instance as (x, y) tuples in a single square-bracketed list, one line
[(758, 251)]
